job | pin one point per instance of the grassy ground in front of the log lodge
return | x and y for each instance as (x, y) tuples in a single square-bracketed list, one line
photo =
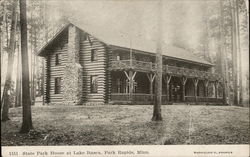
[(127, 125)]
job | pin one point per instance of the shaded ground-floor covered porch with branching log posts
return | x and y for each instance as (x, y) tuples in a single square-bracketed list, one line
[(129, 86)]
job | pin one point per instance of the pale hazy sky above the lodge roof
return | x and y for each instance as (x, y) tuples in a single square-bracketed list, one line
[(138, 17)]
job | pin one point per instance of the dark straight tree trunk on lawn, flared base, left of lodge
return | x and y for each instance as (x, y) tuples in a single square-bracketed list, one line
[(27, 120)]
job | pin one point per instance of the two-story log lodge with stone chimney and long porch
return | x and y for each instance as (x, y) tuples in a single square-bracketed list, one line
[(87, 67)]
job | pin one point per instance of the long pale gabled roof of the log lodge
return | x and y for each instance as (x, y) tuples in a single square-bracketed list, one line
[(117, 39)]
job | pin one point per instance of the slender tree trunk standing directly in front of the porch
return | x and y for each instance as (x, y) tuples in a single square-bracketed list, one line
[(158, 79)]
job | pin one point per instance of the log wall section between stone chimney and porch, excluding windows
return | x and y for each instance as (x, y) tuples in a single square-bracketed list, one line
[(93, 68)]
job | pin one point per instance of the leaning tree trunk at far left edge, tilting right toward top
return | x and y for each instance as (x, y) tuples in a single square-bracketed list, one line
[(11, 50)]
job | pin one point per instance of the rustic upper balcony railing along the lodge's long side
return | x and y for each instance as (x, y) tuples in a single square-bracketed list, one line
[(171, 70)]
